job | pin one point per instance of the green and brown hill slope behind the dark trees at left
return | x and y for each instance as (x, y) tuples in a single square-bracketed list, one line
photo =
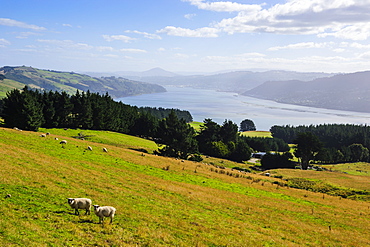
[(70, 82)]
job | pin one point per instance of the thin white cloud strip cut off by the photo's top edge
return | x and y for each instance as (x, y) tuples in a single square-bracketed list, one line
[(224, 6)]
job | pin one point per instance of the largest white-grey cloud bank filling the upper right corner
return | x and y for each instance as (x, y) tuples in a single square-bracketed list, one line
[(338, 18)]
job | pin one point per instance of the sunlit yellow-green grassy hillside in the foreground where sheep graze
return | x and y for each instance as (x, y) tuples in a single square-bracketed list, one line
[(160, 201)]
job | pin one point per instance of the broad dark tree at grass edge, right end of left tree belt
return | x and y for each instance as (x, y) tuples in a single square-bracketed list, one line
[(177, 136)]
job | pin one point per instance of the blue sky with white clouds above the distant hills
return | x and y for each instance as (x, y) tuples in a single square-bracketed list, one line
[(186, 35)]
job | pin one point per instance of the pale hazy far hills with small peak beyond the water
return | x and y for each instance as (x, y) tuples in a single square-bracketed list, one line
[(236, 81)]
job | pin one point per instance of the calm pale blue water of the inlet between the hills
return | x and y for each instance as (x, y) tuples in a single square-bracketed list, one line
[(219, 106)]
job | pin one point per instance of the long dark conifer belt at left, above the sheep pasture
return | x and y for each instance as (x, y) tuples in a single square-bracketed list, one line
[(31, 109)]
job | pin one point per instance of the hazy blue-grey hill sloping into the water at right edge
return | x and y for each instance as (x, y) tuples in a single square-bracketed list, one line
[(350, 92)]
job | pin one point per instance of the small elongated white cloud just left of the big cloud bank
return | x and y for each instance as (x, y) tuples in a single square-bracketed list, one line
[(205, 32)]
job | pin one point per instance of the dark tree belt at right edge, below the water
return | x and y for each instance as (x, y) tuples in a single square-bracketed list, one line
[(327, 143)]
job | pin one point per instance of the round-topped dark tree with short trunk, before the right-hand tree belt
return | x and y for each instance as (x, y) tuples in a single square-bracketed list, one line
[(307, 147)]
